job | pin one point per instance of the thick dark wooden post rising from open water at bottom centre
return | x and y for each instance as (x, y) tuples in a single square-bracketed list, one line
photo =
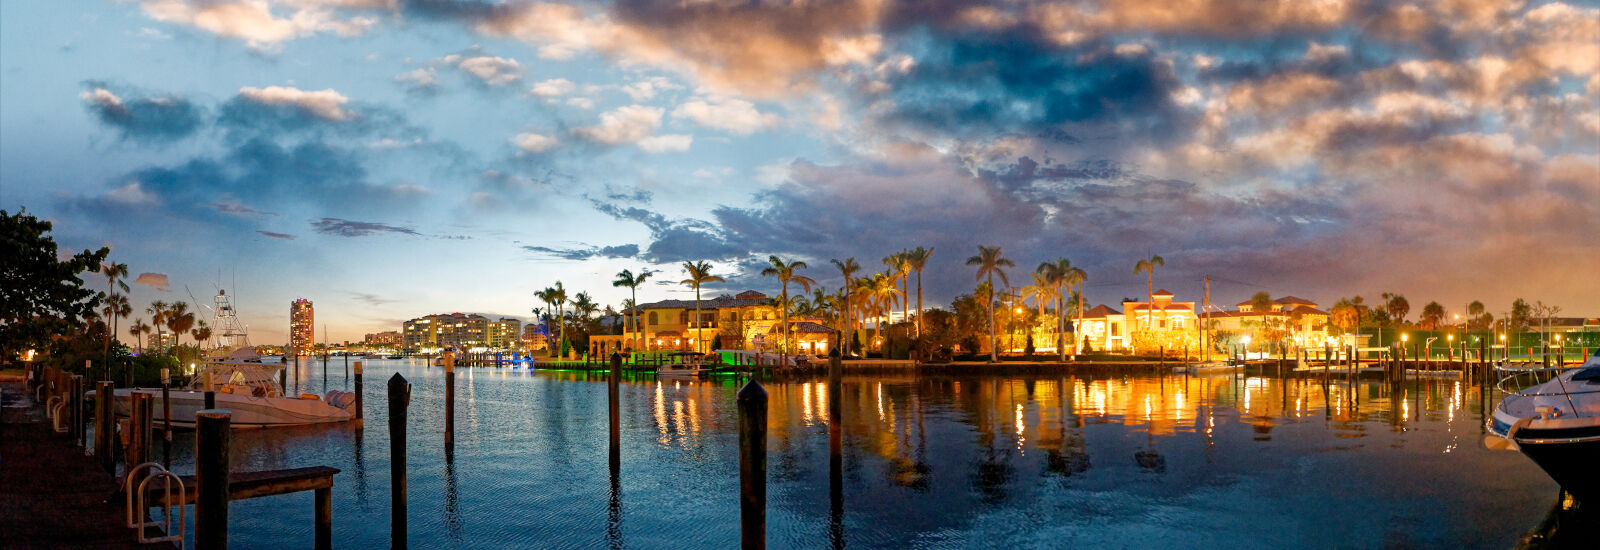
[(753, 466)]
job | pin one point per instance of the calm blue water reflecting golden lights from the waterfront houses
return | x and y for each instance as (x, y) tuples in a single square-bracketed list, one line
[(929, 463)]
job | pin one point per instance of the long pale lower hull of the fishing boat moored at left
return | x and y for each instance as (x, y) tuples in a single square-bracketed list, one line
[(247, 412)]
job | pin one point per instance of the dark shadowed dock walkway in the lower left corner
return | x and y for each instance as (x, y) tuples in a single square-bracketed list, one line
[(52, 495)]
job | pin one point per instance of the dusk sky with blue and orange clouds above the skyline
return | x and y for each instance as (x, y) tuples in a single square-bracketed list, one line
[(391, 159)]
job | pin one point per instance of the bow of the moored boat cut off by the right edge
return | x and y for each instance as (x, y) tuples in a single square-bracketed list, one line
[(1553, 416)]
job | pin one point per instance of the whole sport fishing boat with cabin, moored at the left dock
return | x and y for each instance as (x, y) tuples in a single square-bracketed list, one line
[(246, 388)]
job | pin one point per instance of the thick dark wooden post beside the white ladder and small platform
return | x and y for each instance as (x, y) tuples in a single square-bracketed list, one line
[(214, 437)]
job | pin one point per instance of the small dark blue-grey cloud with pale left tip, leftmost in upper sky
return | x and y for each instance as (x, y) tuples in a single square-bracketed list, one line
[(143, 119)]
